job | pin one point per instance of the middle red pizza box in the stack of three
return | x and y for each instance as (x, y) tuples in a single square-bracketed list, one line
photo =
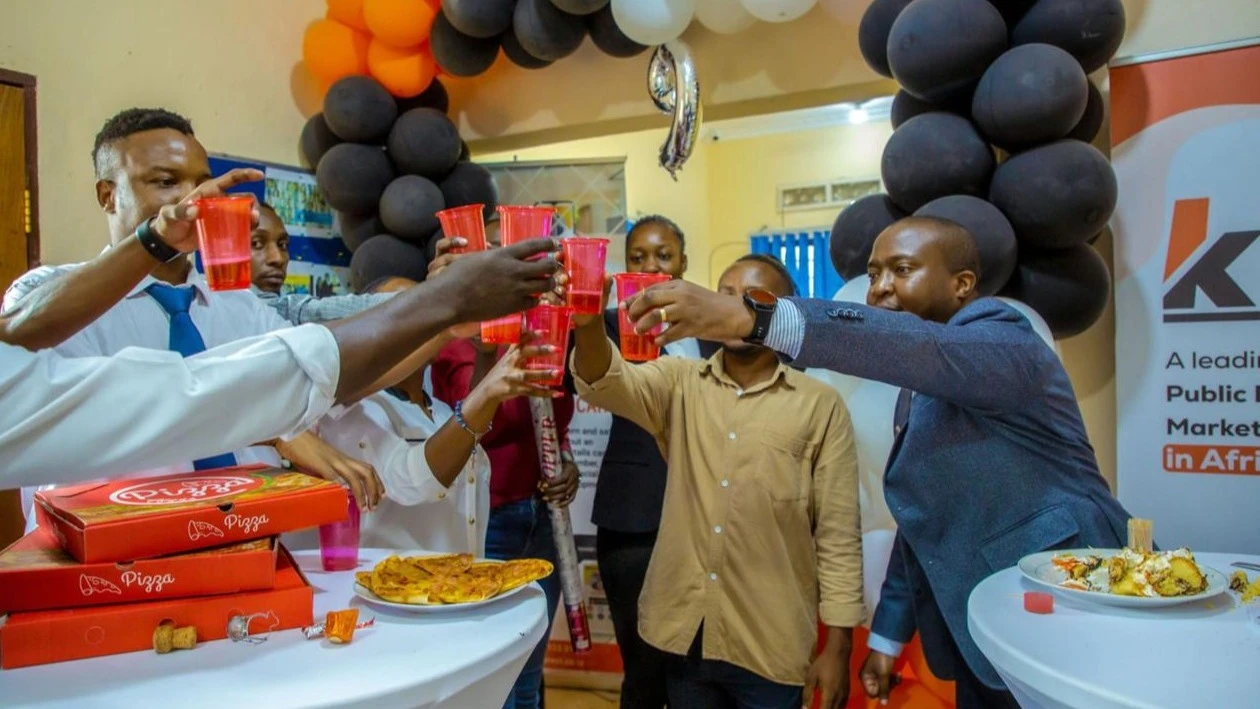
[(36, 574)]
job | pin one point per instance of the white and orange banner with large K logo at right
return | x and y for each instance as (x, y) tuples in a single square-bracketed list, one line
[(1186, 148)]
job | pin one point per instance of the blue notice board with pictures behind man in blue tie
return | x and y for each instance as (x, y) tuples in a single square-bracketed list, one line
[(319, 261)]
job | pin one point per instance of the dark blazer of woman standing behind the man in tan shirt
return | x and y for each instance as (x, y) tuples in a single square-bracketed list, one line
[(632, 485)]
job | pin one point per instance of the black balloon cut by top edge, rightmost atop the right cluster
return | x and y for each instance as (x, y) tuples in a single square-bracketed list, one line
[(1092, 31)]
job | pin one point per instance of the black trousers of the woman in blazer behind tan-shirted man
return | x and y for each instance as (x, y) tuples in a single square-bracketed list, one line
[(623, 559)]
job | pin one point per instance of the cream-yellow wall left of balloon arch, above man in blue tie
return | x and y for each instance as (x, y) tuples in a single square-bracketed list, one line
[(226, 65)]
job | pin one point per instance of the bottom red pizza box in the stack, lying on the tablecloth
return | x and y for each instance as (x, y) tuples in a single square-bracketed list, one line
[(40, 638)]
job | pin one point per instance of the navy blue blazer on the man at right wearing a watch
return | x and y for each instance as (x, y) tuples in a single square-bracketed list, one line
[(994, 464)]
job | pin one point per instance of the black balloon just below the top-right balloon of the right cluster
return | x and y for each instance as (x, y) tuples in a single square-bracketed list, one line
[(1031, 95)]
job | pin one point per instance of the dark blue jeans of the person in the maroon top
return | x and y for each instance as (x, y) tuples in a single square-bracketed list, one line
[(524, 531)]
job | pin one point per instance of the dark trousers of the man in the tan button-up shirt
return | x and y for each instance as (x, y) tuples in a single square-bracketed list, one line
[(696, 683)]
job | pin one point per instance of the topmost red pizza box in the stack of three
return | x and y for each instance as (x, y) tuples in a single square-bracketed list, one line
[(142, 518)]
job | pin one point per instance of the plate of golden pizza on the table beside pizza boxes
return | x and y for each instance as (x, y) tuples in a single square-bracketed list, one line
[(424, 584)]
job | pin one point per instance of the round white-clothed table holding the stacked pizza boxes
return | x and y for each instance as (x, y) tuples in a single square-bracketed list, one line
[(448, 659)]
